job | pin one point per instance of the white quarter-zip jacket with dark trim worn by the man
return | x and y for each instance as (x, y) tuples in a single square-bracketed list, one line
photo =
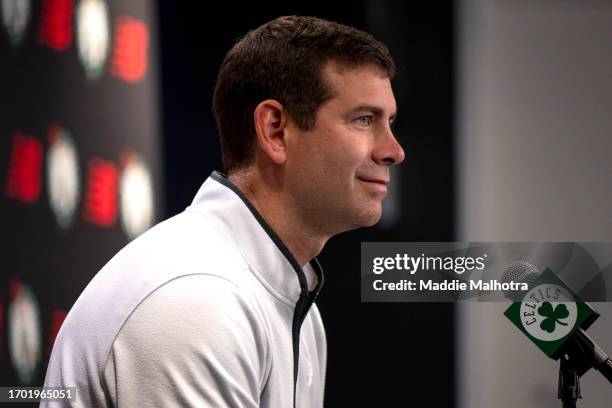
[(206, 309)]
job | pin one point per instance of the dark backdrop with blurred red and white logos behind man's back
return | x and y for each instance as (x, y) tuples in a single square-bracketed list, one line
[(81, 165)]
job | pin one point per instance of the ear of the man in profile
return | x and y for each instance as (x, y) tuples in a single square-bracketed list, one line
[(270, 126)]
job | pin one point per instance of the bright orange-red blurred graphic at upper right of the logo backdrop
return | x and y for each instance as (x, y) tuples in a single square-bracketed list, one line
[(130, 51)]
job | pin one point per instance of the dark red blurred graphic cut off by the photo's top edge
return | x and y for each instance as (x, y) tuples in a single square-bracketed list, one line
[(56, 24)]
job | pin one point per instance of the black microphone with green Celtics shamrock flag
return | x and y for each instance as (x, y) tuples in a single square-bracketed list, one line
[(576, 347)]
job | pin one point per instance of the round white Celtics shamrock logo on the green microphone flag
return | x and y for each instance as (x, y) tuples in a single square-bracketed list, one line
[(548, 312)]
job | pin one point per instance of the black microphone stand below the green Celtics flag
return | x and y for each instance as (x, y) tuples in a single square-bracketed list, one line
[(579, 355)]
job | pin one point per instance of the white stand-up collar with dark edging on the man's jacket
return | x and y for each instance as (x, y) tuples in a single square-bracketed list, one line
[(266, 254)]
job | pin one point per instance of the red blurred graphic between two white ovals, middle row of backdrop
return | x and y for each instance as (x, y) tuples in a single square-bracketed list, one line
[(101, 194)]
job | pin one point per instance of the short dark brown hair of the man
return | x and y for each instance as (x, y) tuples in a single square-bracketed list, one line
[(283, 60)]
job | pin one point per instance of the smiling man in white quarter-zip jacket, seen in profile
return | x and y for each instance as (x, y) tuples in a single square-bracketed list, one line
[(215, 306)]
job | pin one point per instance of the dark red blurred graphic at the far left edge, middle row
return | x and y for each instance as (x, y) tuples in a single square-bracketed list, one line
[(25, 168)]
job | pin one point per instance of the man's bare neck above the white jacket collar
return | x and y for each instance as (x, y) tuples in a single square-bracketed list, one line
[(270, 201)]
